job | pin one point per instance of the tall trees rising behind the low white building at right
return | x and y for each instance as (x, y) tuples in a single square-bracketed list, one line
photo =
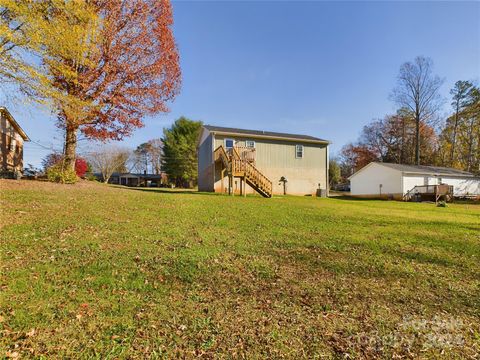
[(416, 132)]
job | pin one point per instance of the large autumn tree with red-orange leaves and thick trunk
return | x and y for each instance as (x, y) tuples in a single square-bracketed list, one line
[(133, 72)]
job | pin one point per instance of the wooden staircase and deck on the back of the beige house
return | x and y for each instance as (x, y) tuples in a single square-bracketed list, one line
[(236, 166)]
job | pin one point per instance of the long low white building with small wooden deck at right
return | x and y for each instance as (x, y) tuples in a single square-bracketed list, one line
[(397, 181)]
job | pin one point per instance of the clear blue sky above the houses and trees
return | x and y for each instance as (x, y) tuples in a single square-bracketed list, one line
[(318, 68)]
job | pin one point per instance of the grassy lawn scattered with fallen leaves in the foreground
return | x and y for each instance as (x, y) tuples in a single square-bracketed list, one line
[(98, 271)]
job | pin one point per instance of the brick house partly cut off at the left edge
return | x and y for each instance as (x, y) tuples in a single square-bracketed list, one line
[(11, 144)]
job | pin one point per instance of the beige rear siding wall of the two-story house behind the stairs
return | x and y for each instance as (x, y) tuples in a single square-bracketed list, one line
[(276, 158)]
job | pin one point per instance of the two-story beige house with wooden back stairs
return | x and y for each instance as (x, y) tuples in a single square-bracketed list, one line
[(248, 161)]
